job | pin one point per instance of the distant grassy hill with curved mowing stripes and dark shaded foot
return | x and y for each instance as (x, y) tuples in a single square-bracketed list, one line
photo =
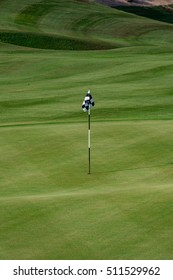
[(59, 25)]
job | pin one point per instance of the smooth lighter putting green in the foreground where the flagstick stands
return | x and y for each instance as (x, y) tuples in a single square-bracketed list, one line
[(52, 209)]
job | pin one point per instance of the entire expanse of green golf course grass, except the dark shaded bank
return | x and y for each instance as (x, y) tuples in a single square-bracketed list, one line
[(50, 208)]
